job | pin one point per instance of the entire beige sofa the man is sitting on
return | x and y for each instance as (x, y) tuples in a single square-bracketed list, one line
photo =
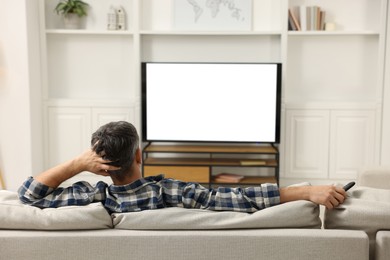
[(291, 230)]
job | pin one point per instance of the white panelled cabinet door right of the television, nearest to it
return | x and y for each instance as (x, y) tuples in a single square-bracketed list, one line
[(307, 143)]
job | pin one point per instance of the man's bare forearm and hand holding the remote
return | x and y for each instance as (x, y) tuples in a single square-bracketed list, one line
[(327, 195)]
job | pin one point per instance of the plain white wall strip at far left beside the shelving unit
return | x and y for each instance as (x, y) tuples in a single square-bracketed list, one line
[(19, 92)]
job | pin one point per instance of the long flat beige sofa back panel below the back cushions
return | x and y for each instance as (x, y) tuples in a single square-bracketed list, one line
[(275, 244)]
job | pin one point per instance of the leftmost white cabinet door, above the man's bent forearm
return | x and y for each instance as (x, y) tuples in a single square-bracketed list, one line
[(69, 131)]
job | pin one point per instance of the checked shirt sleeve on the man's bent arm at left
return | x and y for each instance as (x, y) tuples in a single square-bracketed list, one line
[(37, 194)]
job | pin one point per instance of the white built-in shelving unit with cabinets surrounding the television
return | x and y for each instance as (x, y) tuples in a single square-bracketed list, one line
[(332, 80)]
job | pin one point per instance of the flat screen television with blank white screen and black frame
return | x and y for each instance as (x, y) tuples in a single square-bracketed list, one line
[(211, 102)]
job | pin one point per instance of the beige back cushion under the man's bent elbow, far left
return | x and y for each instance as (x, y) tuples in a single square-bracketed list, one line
[(15, 215)]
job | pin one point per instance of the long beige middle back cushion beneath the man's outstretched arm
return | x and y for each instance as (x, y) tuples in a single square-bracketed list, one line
[(296, 214)]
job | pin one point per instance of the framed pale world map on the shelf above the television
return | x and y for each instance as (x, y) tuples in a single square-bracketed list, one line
[(212, 15)]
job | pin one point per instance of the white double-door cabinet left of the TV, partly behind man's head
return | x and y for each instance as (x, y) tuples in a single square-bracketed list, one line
[(69, 128)]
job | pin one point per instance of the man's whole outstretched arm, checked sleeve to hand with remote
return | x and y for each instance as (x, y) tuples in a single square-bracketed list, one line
[(249, 199)]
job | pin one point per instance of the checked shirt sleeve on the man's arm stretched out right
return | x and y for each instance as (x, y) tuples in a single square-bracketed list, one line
[(250, 199)]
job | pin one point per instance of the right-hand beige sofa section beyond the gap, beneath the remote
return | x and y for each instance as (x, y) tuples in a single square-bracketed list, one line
[(367, 209)]
